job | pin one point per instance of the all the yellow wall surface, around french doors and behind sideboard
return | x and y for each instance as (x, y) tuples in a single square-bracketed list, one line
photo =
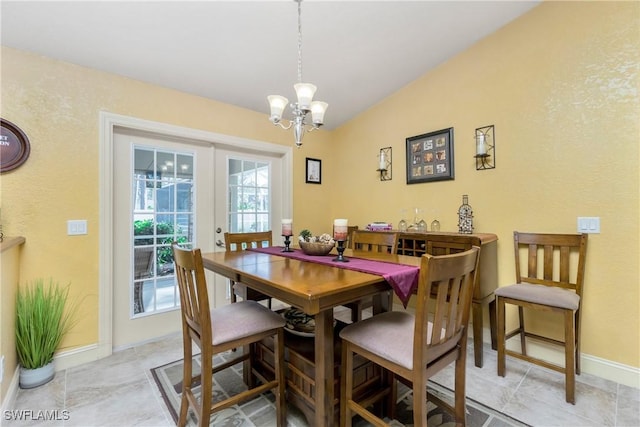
[(558, 84)]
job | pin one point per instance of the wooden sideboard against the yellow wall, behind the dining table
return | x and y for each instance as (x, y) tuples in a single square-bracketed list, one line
[(442, 243)]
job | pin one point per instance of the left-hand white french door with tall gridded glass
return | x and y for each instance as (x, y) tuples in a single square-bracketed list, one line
[(161, 196)]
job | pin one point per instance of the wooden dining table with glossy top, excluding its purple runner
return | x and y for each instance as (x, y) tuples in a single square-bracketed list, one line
[(313, 288)]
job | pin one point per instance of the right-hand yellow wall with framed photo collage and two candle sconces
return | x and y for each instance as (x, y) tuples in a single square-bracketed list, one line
[(561, 87)]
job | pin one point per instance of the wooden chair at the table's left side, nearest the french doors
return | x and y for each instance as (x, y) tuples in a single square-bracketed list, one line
[(218, 330)]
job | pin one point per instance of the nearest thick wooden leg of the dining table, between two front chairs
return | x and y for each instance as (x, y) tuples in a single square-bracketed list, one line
[(325, 392)]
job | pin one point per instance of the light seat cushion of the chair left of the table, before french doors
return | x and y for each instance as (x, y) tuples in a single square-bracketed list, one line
[(242, 319)]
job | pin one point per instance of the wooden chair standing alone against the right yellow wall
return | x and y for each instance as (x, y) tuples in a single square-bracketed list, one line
[(549, 279)]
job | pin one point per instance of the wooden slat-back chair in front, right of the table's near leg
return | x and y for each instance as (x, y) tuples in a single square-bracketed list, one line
[(415, 347)]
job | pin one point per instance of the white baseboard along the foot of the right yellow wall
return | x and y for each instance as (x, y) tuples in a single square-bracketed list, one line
[(593, 365)]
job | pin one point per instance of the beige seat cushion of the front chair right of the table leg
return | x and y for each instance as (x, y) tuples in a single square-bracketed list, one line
[(389, 335)]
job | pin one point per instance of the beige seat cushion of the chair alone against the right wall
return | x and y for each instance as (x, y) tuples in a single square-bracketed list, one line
[(541, 294)]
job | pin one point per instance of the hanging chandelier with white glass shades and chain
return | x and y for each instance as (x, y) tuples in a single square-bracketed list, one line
[(305, 104)]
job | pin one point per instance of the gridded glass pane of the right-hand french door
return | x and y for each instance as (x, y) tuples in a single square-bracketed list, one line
[(249, 196)]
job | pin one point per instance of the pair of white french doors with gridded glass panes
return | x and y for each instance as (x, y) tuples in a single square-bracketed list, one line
[(176, 189)]
